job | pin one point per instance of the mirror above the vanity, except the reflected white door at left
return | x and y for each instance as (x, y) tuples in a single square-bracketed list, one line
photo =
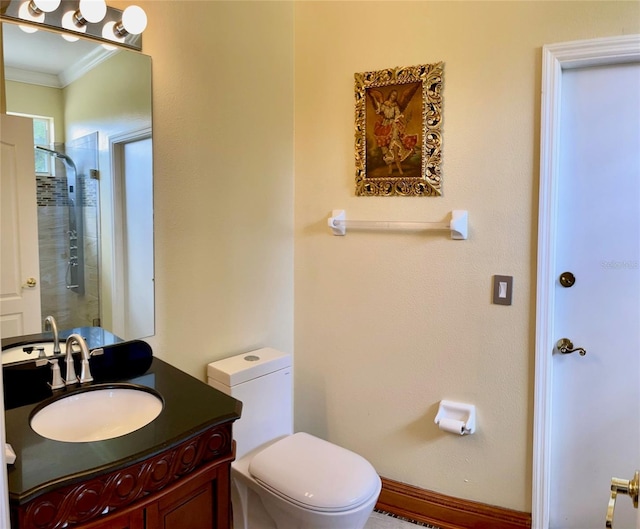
[(92, 122)]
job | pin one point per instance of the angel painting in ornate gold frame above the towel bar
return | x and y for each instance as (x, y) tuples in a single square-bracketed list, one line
[(393, 137)]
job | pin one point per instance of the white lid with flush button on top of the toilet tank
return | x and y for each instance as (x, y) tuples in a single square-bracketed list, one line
[(247, 366)]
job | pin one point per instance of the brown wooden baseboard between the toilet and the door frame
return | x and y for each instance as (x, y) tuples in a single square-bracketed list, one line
[(446, 512)]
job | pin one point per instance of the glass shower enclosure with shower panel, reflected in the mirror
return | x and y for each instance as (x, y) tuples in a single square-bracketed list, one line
[(68, 233)]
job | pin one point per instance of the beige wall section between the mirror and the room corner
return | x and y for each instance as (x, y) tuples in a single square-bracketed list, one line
[(223, 177)]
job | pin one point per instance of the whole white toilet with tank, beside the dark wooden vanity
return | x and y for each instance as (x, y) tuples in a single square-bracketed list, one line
[(281, 479)]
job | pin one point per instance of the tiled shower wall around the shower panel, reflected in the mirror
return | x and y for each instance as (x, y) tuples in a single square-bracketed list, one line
[(69, 308)]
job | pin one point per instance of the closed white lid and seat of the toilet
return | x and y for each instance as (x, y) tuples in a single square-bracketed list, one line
[(315, 474)]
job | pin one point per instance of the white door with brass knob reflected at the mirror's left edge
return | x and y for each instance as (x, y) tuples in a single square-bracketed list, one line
[(20, 268)]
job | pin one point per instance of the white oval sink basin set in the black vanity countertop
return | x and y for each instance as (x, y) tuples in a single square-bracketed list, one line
[(97, 413)]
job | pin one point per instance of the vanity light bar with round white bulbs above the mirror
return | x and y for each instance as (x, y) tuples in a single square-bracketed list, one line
[(74, 18)]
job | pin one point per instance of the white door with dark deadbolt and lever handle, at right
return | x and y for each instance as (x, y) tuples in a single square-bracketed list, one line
[(595, 425)]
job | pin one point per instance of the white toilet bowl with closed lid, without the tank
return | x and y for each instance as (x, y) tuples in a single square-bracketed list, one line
[(303, 482)]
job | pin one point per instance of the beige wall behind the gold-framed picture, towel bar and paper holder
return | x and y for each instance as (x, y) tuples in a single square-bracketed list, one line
[(387, 325)]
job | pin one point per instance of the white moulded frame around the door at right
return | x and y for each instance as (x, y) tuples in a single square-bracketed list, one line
[(555, 59)]
